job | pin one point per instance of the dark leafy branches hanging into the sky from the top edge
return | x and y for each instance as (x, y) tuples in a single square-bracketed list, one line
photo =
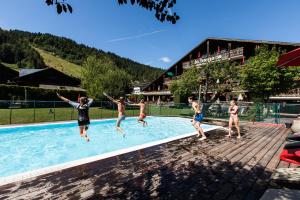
[(162, 8)]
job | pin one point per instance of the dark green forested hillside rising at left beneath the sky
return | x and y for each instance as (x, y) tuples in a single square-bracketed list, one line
[(21, 48)]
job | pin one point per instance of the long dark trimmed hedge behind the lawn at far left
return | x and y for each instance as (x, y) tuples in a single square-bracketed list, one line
[(7, 92)]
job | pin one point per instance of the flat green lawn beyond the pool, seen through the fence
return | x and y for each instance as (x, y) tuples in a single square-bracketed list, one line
[(31, 115)]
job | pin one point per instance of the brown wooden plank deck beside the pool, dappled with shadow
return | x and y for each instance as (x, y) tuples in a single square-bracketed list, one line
[(218, 168)]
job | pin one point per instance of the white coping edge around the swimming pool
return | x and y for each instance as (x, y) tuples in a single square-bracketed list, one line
[(54, 168)]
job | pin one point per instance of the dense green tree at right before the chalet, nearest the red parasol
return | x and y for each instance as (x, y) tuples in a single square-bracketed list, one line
[(262, 78)]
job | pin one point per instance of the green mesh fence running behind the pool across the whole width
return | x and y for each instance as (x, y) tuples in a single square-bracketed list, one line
[(47, 111)]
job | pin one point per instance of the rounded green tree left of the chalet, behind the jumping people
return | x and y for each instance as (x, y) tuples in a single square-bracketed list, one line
[(100, 75)]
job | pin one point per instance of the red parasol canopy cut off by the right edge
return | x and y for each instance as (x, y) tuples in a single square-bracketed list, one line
[(291, 58)]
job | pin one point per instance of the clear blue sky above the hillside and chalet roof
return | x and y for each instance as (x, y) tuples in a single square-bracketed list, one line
[(133, 32)]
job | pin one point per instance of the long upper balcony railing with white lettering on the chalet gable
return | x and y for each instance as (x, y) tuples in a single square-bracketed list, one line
[(233, 54)]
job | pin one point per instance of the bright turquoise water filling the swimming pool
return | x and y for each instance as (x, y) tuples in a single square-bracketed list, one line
[(32, 147)]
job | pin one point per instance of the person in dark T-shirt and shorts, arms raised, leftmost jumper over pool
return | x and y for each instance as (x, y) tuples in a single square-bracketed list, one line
[(83, 113)]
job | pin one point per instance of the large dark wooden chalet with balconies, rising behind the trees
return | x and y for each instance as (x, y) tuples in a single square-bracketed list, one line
[(208, 51)]
